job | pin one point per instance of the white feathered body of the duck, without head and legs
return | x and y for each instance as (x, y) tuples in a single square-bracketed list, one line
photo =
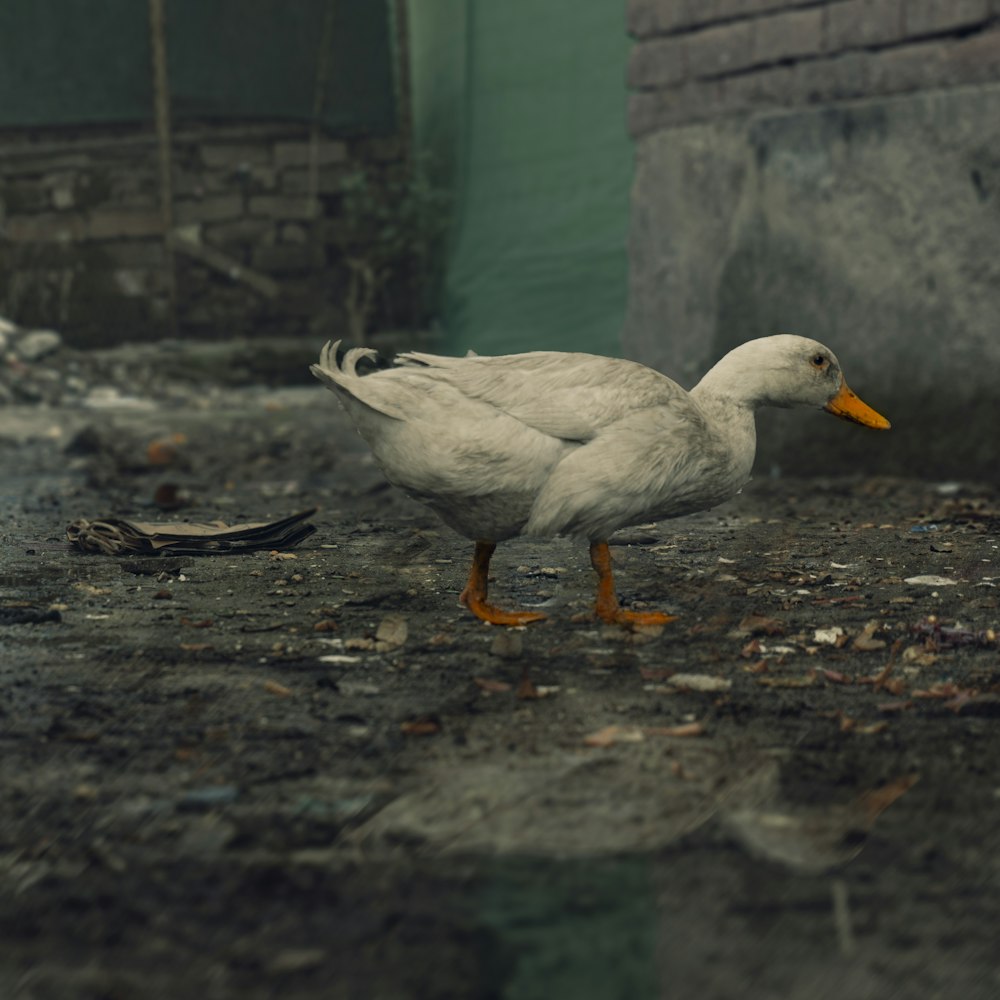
[(545, 443)]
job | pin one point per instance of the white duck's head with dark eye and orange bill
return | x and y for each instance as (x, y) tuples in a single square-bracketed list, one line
[(791, 371)]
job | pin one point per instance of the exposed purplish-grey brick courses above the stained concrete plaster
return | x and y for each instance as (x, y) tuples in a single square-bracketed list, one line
[(698, 59)]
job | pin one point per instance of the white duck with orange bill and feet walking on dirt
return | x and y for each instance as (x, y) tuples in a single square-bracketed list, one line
[(548, 443)]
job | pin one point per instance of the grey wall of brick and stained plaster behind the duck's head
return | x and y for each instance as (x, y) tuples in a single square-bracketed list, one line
[(830, 169)]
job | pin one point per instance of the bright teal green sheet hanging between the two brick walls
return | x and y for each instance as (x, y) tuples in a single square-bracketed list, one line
[(523, 103)]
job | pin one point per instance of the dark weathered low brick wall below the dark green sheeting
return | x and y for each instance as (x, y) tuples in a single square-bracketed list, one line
[(81, 232)]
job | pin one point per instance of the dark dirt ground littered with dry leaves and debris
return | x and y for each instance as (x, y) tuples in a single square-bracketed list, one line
[(312, 774)]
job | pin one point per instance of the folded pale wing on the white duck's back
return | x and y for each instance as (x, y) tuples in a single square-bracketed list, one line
[(564, 395)]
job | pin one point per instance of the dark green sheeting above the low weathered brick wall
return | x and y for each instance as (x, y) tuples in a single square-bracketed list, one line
[(65, 62)]
